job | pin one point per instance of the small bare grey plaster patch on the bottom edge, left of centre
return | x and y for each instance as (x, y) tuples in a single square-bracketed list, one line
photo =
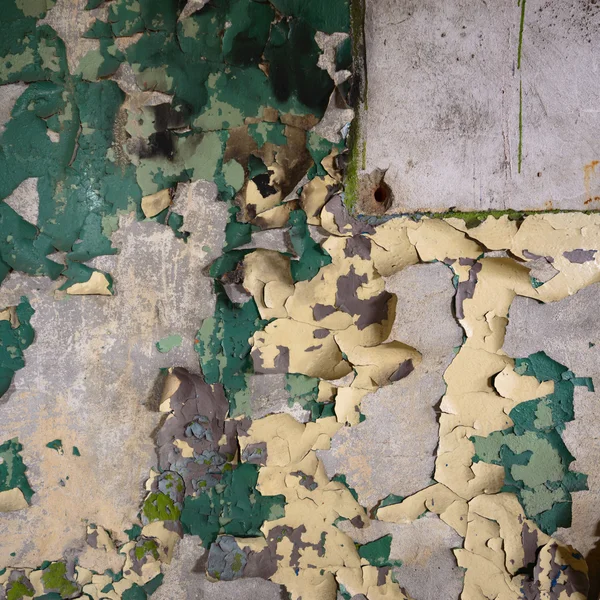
[(185, 579)]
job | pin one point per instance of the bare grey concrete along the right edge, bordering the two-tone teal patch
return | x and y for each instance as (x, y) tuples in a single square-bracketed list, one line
[(564, 331)]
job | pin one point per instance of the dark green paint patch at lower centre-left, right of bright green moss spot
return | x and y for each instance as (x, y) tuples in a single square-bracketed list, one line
[(233, 507)]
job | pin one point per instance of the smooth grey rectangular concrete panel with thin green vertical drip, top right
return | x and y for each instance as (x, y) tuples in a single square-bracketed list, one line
[(444, 95)]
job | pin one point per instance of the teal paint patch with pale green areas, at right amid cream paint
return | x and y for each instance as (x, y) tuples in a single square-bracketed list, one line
[(535, 458)]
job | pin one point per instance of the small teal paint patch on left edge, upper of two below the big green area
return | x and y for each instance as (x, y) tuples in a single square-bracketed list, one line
[(13, 342)]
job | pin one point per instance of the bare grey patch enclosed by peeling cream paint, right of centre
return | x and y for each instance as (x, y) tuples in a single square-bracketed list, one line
[(392, 451)]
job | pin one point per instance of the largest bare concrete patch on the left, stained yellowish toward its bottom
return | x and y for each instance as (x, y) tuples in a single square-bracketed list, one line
[(91, 379)]
